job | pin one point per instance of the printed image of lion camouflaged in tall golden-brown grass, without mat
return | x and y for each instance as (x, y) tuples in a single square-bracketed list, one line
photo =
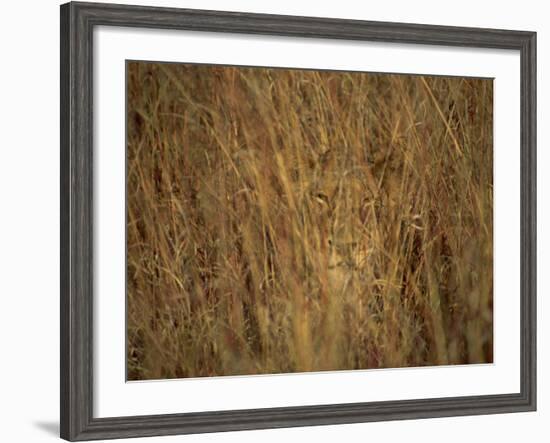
[(288, 220)]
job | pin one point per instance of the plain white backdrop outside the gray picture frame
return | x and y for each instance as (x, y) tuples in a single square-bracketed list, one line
[(29, 222)]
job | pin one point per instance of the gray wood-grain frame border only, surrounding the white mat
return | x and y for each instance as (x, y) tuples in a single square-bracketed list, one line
[(77, 23)]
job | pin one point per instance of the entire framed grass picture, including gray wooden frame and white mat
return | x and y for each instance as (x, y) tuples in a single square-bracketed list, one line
[(272, 221)]
